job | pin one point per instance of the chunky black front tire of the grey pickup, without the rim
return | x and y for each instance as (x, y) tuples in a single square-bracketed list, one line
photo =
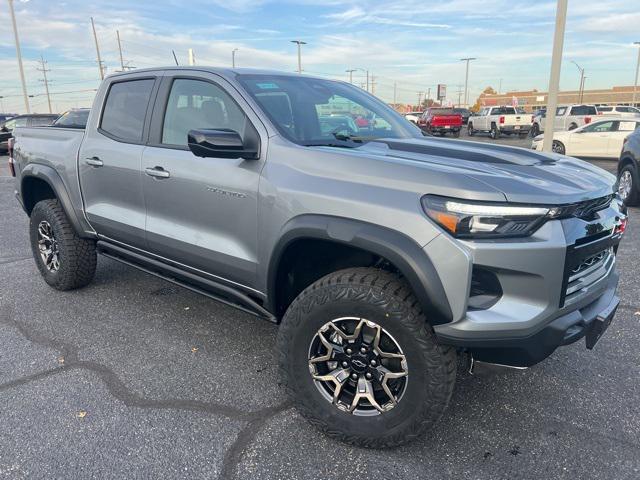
[(387, 300)]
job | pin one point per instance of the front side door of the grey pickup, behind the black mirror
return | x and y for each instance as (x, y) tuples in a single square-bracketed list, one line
[(201, 212)]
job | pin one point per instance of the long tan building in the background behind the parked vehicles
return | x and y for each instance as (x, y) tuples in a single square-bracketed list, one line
[(532, 100)]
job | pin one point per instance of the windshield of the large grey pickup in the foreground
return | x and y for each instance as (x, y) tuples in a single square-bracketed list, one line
[(312, 111)]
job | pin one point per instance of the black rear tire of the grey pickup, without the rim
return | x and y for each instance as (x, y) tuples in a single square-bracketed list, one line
[(77, 256)]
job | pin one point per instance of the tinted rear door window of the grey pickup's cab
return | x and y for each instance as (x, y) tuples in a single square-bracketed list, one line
[(125, 109)]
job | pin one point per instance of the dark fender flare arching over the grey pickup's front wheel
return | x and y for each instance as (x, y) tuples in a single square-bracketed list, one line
[(398, 248)]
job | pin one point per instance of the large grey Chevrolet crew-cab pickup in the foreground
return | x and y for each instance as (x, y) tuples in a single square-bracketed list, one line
[(381, 254)]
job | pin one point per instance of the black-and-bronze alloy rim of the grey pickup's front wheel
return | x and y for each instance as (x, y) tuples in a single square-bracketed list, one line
[(358, 366)]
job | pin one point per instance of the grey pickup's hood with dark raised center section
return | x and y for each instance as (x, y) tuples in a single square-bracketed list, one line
[(521, 175)]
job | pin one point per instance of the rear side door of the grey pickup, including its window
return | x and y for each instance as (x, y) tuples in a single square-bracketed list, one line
[(110, 159)]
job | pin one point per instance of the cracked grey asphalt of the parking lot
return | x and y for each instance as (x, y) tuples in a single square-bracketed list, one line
[(134, 377)]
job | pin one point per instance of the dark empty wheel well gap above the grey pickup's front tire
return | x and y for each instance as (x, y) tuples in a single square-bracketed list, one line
[(306, 260)]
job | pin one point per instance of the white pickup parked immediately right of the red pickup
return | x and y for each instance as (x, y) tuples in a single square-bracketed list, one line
[(499, 120)]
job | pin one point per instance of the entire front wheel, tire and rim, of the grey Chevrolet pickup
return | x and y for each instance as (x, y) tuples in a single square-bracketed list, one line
[(360, 361)]
